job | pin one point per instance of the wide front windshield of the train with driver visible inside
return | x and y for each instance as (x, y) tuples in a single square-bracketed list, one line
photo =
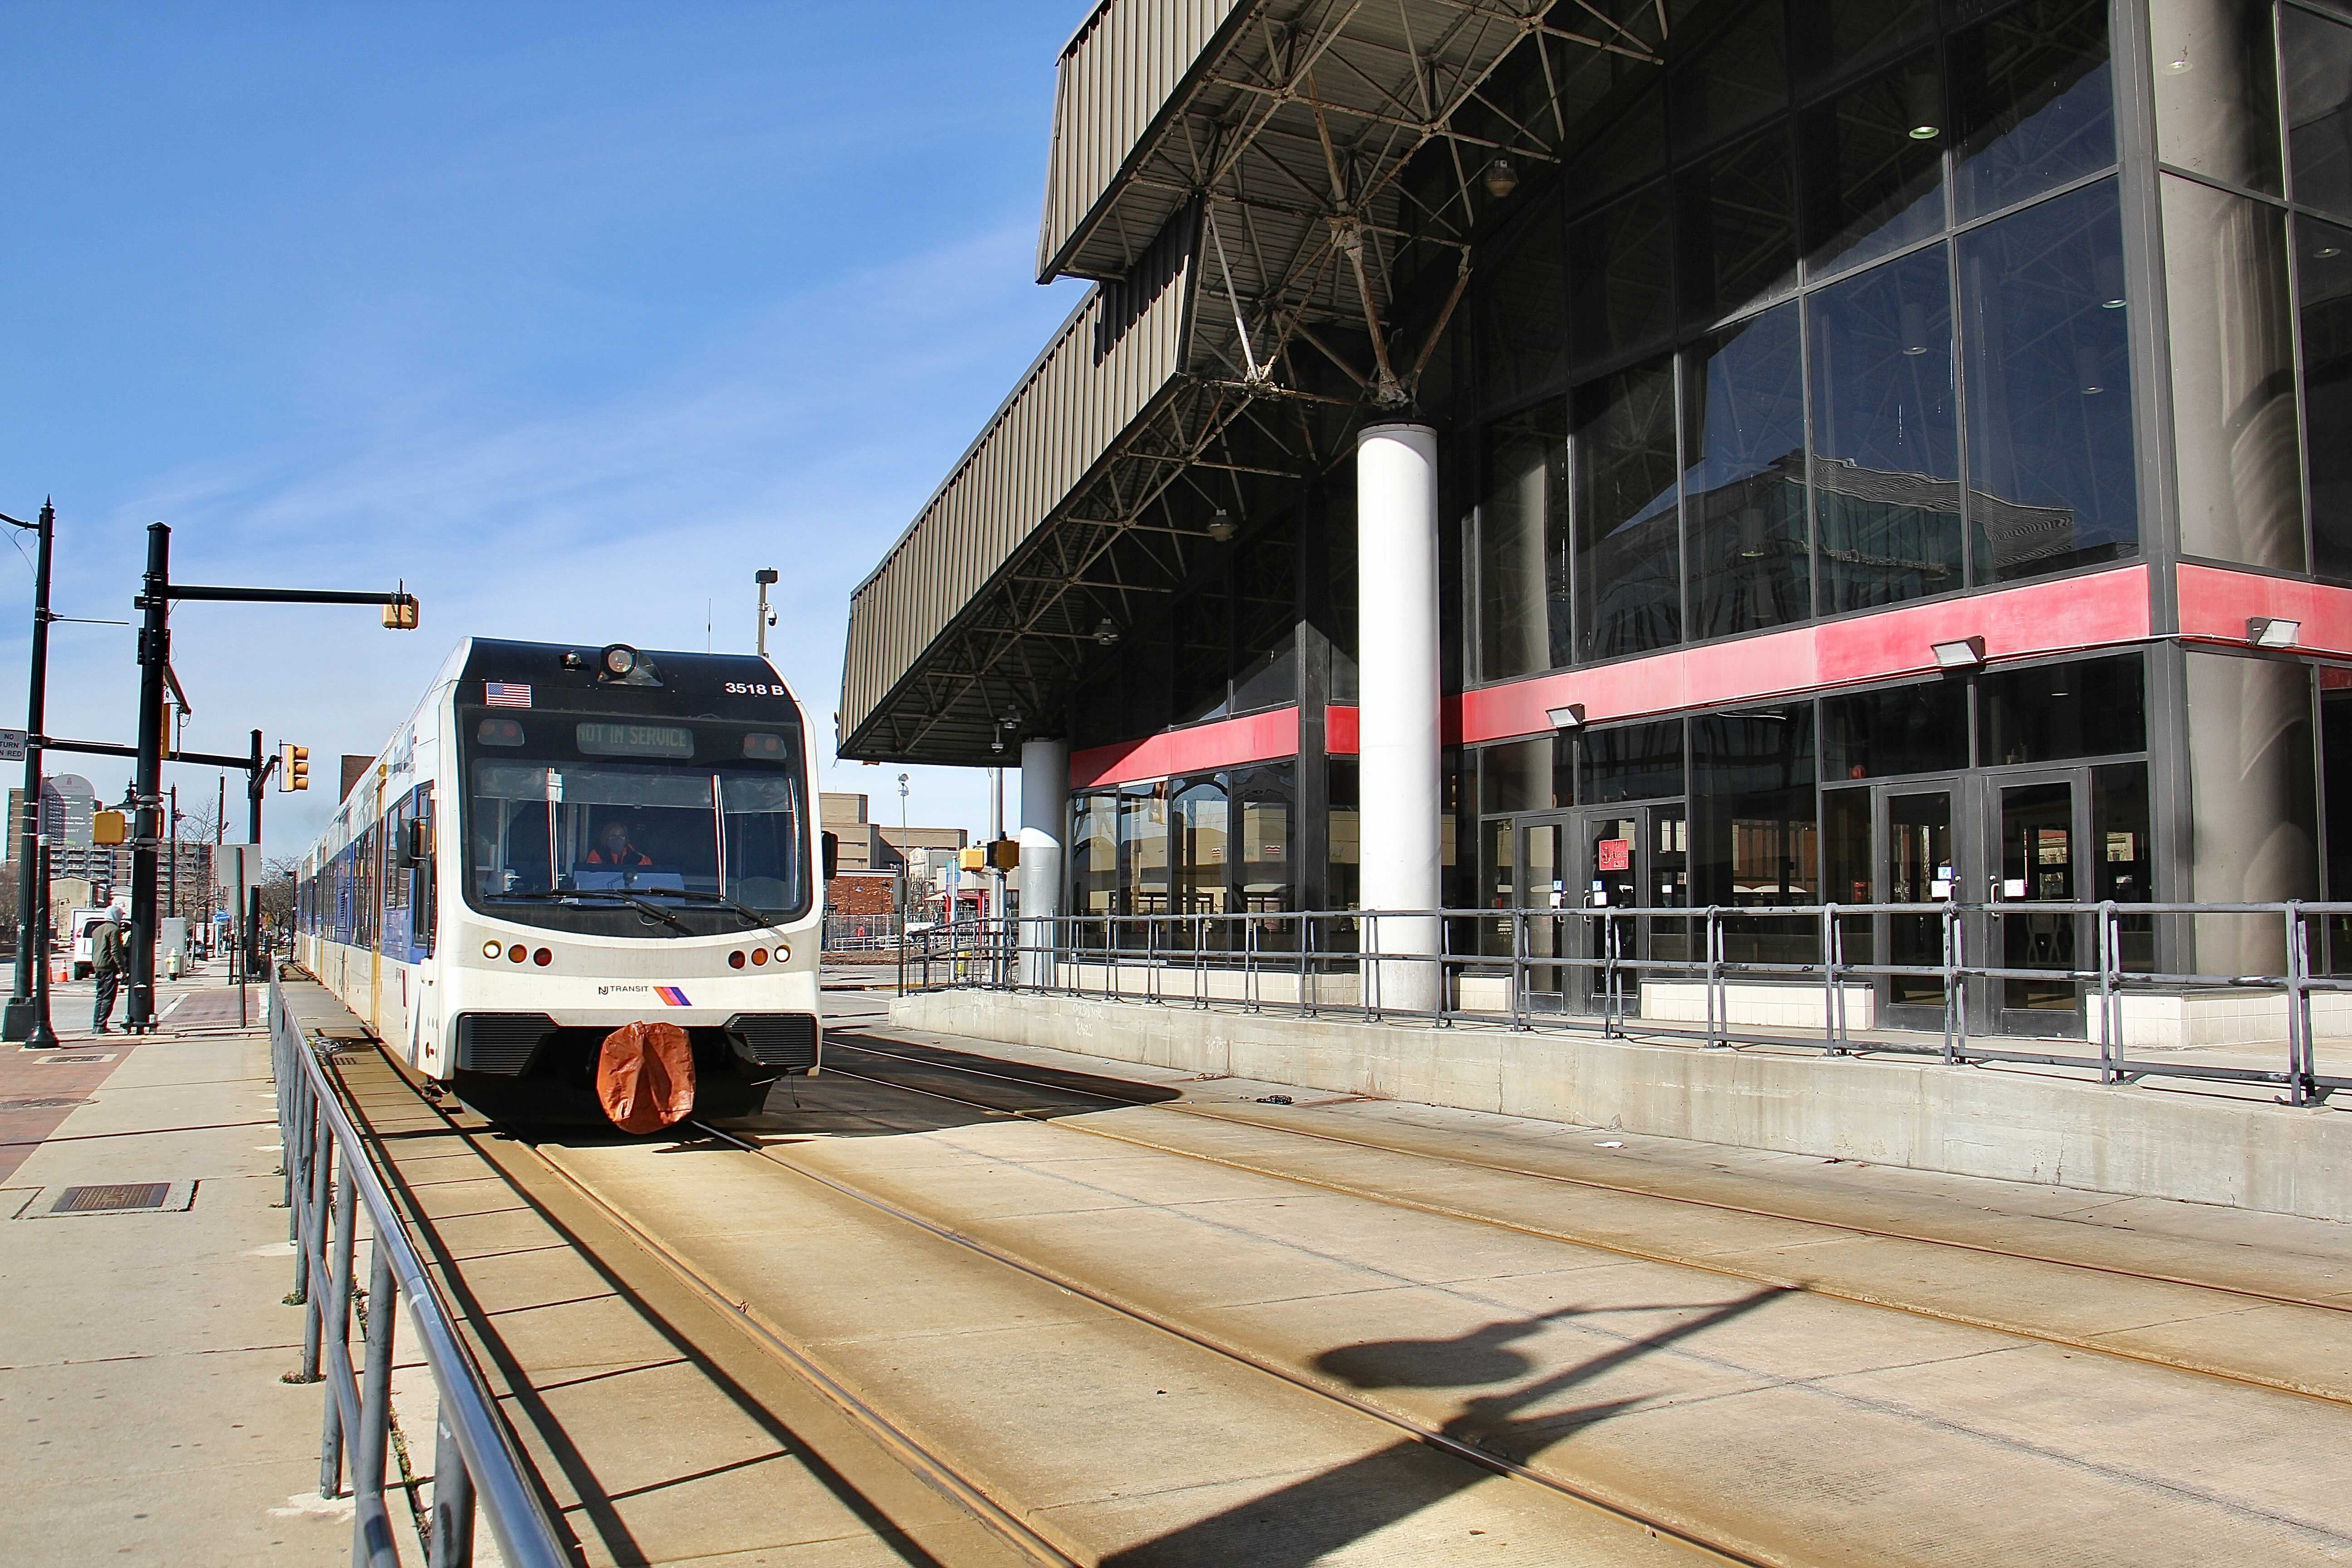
[(634, 829)]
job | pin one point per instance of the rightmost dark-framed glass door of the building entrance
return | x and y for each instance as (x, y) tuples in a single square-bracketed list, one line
[(2040, 829)]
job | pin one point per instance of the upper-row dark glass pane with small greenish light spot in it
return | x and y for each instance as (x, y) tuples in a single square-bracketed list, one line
[(1873, 168)]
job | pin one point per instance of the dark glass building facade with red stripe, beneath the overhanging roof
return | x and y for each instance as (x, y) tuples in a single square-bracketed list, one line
[(1838, 330)]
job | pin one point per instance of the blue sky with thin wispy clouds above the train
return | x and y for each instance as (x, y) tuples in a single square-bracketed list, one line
[(570, 316)]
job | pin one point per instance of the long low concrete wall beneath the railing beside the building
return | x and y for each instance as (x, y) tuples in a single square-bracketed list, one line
[(1920, 1115)]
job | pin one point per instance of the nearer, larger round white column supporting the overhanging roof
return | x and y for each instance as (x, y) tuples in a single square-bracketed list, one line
[(1396, 570)]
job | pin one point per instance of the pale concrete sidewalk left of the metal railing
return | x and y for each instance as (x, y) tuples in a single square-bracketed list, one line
[(142, 1414)]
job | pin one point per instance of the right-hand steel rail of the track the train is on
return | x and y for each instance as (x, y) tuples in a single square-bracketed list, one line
[(1422, 1433)]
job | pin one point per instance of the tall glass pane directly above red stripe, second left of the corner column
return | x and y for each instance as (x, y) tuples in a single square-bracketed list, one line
[(1885, 443)]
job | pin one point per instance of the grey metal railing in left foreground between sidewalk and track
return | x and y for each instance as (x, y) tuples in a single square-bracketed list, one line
[(474, 1461)]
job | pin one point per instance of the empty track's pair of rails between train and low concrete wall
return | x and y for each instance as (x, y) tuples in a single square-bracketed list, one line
[(2014, 1325)]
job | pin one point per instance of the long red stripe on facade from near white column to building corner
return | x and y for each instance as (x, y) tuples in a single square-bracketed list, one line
[(2085, 612)]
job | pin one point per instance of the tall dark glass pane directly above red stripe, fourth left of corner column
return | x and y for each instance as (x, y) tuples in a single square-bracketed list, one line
[(1629, 558)]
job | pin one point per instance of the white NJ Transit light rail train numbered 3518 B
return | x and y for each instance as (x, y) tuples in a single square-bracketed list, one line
[(563, 840)]
